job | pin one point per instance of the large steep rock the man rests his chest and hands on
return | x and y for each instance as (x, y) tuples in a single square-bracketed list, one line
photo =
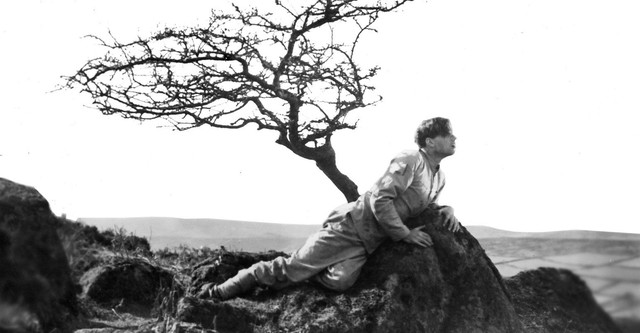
[(450, 287)]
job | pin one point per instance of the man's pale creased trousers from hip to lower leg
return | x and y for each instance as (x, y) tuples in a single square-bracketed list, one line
[(333, 257)]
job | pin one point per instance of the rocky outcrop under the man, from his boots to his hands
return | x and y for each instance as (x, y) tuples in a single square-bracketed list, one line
[(450, 287)]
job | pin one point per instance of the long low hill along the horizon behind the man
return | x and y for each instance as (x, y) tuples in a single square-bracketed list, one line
[(257, 236)]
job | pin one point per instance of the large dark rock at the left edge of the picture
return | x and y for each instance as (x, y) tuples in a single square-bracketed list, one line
[(36, 289)]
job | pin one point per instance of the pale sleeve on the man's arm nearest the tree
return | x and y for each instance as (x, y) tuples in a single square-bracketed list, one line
[(395, 181)]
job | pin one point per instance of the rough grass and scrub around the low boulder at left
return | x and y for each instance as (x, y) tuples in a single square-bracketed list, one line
[(86, 248)]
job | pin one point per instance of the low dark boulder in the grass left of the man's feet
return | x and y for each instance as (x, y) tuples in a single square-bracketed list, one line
[(130, 285)]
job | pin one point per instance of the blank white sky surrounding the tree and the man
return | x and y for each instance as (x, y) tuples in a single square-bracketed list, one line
[(543, 97)]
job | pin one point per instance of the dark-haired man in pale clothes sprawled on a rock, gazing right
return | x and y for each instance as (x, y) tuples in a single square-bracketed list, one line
[(335, 255)]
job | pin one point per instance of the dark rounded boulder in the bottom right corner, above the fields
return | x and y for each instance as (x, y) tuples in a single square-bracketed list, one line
[(557, 300)]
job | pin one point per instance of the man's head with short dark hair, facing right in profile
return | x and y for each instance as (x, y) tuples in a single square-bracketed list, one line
[(435, 134)]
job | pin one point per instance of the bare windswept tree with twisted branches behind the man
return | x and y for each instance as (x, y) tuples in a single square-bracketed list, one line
[(293, 71)]
